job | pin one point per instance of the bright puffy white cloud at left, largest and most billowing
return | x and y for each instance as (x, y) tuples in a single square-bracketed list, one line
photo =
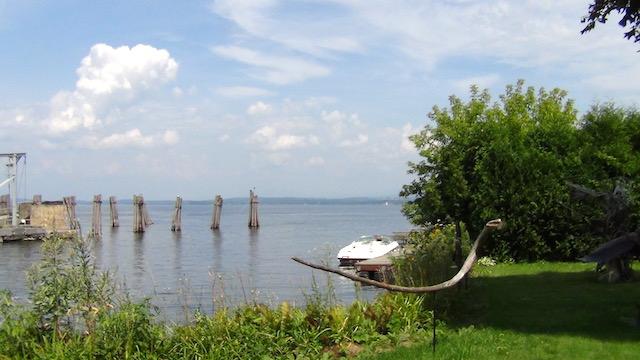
[(107, 75)]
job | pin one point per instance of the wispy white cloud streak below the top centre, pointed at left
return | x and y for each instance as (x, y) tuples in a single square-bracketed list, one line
[(278, 70)]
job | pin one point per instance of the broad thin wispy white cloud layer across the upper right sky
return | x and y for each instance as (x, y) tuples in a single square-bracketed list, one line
[(530, 34)]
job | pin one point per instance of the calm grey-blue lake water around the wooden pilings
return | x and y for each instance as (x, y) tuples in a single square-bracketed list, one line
[(201, 268)]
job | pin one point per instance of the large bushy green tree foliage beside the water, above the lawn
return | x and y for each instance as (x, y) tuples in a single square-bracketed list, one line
[(512, 159)]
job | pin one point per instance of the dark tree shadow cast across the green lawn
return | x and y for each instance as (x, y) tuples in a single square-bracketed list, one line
[(550, 302)]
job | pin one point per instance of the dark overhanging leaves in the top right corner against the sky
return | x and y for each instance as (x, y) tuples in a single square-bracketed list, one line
[(600, 10)]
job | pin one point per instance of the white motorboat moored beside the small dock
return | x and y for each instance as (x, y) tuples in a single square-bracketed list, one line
[(367, 247)]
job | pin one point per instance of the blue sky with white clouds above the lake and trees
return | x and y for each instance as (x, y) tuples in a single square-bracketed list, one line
[(293, 98)]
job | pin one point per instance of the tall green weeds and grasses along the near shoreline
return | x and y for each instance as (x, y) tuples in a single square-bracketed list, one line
[(77, 312)]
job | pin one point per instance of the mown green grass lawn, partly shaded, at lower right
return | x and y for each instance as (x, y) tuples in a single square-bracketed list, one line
[(537, 311)]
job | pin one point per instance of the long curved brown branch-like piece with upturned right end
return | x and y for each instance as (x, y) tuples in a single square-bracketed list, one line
[(466, 267)]
